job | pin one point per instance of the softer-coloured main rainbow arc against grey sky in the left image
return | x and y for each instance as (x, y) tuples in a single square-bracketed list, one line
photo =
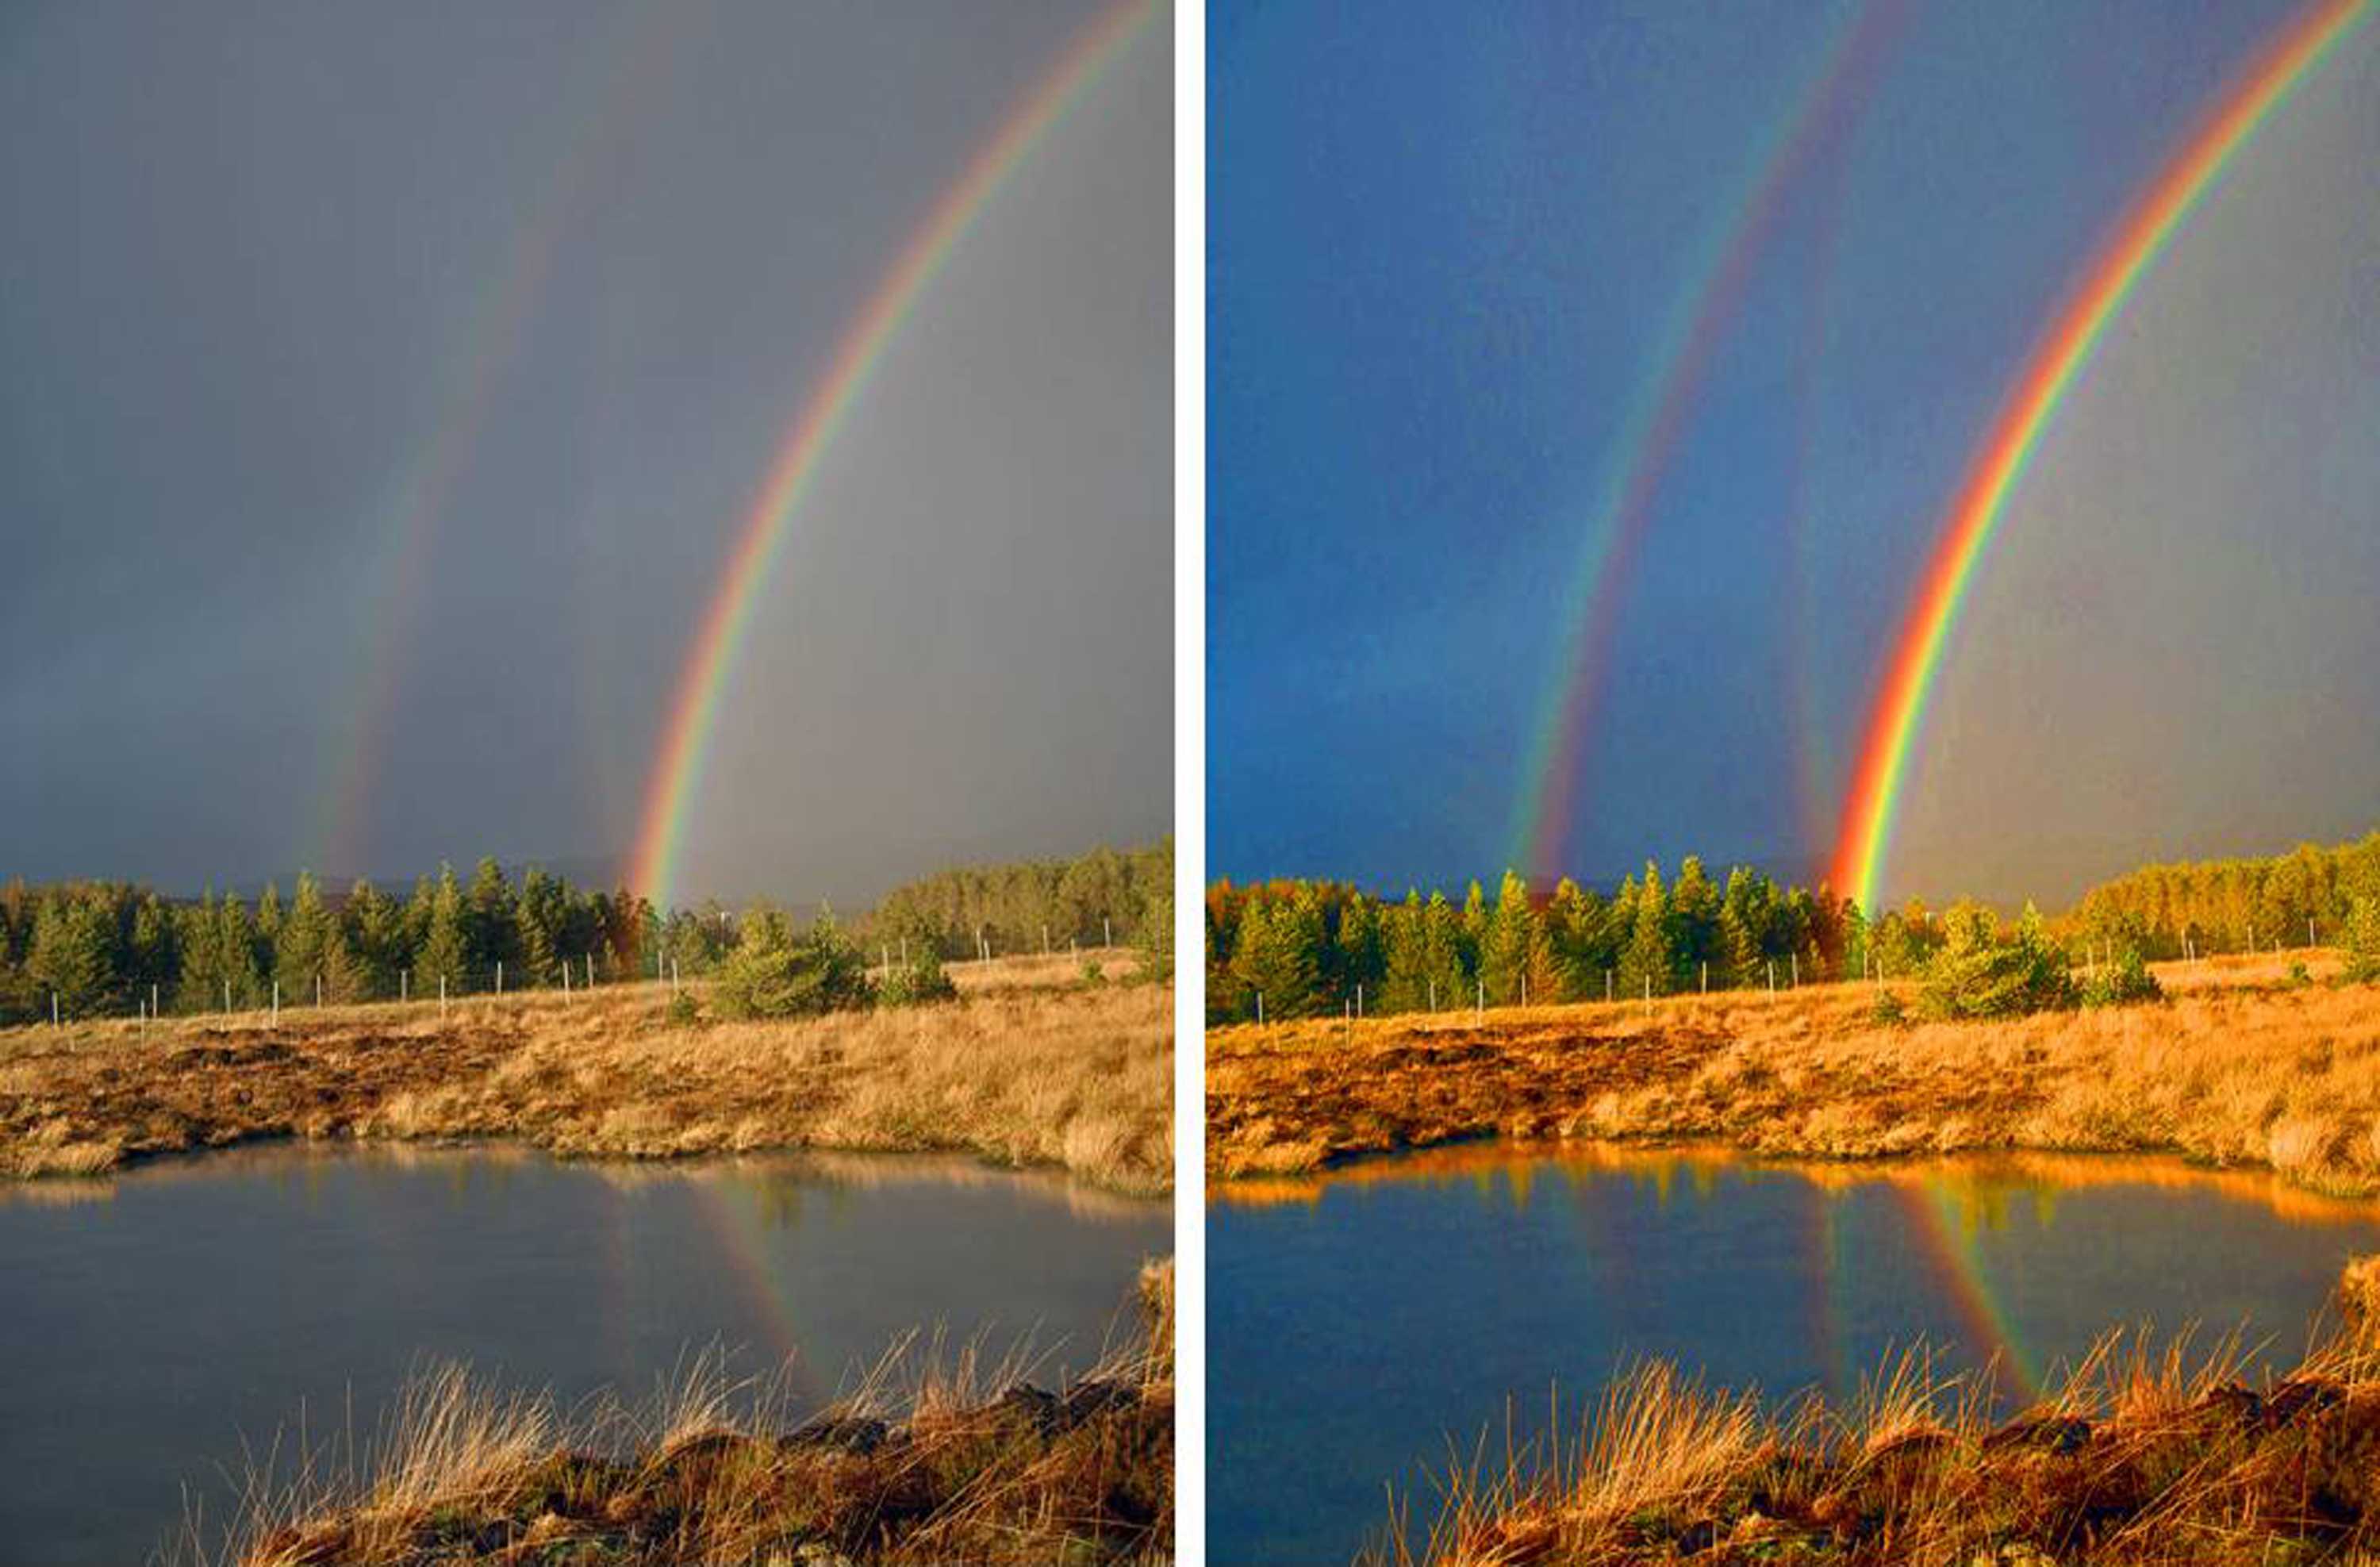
[(720, 635)]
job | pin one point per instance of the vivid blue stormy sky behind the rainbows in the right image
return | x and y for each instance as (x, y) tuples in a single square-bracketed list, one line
[(1446, 249)]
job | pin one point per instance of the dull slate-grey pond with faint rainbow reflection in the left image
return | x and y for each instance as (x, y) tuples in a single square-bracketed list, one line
[(173, 1321)]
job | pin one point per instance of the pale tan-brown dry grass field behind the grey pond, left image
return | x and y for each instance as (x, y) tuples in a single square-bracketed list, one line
[(1027, 1068)]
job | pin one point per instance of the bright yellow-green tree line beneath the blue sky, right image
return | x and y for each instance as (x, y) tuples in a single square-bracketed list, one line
[(1322, 947)]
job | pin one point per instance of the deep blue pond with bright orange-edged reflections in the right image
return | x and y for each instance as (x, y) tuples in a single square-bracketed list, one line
[(1365, 1321)]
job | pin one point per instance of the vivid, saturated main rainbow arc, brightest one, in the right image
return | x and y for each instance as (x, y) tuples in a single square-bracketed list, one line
[(2110, 280)]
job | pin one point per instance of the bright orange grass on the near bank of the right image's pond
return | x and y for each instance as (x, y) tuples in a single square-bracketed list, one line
[(2143, 1454)]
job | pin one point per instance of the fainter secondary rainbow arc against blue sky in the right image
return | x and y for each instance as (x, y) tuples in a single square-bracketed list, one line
[(1658, 423)]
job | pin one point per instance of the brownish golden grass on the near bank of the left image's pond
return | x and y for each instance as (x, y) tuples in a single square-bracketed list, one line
[(932, 1459)]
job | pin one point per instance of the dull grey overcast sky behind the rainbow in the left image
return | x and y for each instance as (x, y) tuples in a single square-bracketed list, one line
[(384, 389)]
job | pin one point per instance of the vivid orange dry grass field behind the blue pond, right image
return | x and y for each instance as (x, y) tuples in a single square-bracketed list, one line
[(2236, 1066)]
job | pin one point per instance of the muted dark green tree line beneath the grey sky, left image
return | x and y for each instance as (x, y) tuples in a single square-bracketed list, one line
[(111, 949)]
